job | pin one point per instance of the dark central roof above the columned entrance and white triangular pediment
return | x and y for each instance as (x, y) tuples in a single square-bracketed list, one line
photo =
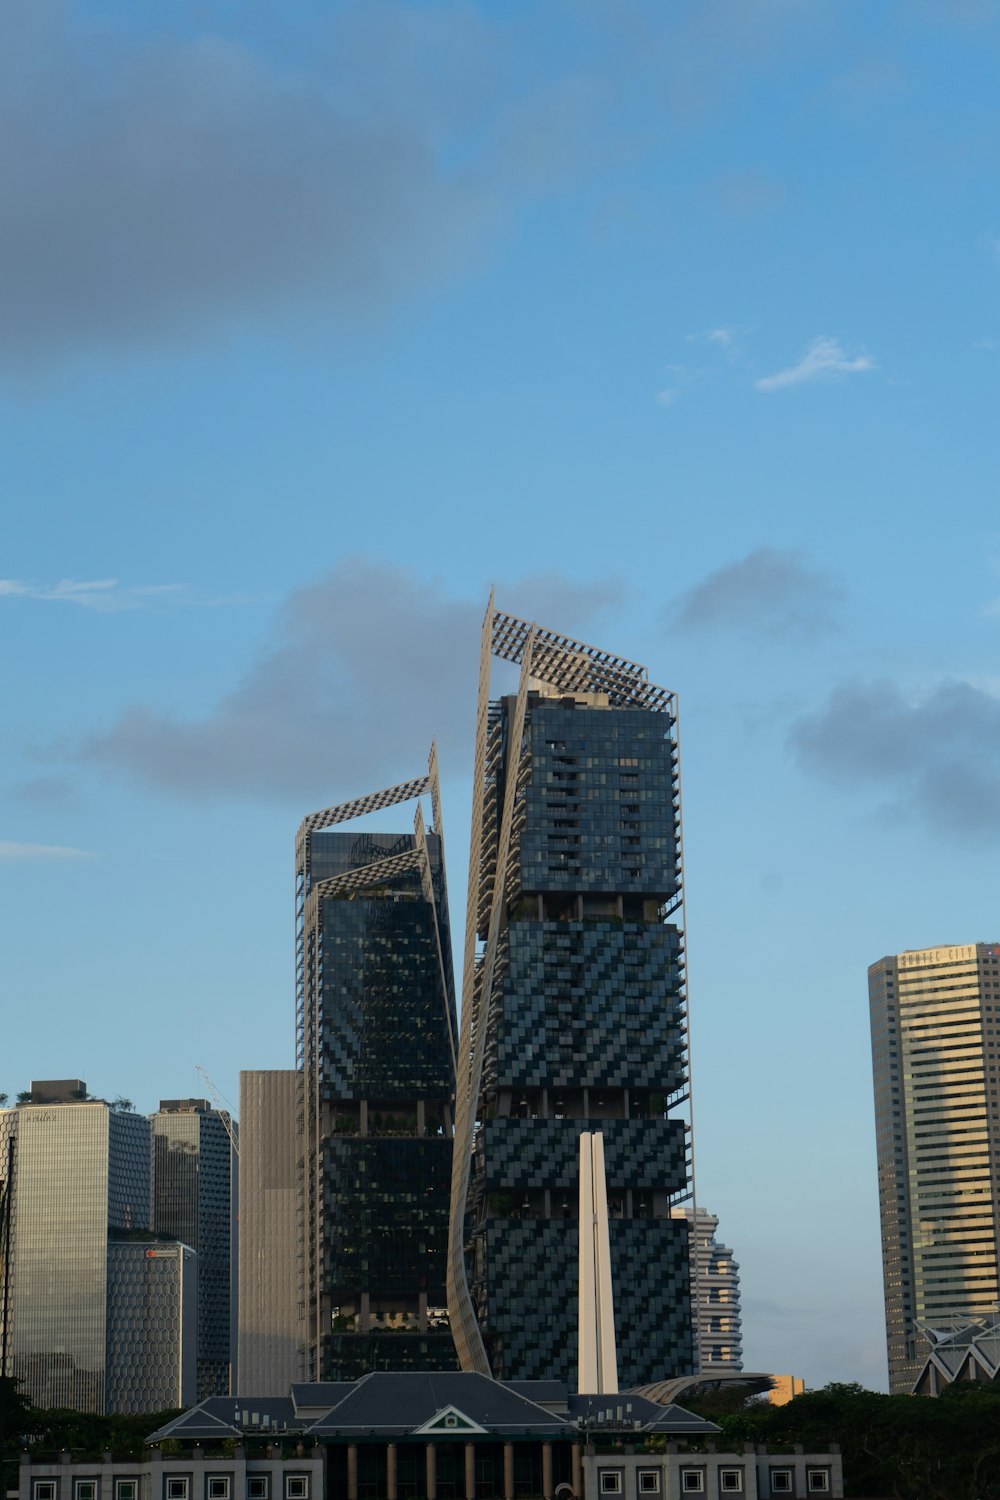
[(406, 1403)]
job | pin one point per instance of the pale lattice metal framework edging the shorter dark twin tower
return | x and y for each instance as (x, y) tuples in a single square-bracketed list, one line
[(310, 1001)]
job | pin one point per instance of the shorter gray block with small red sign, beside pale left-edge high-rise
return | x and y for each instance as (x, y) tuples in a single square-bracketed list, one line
[(152, 1327)]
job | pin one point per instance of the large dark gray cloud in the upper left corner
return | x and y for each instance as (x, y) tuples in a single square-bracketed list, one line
[(146, 191)]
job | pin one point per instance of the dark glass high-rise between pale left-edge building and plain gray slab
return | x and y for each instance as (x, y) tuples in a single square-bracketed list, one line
[(194, 1202)]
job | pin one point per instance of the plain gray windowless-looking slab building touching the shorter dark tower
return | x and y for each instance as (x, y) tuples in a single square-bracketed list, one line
[(269, 1340)]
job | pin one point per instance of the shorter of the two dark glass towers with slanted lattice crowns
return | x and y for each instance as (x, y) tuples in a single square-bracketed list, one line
[(377, 1054)]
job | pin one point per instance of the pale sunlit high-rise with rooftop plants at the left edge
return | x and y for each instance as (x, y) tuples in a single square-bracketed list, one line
[(79, 1181)]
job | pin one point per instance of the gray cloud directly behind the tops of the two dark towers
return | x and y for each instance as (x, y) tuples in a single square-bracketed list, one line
[(370, 665)]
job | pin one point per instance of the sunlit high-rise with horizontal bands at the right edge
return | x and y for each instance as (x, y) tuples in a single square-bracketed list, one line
[(935, 1045)]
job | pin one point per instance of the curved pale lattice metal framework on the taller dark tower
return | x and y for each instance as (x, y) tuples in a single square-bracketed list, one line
[(572, 667)]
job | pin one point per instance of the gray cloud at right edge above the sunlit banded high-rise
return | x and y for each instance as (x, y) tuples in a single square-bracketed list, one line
[(938, 758)]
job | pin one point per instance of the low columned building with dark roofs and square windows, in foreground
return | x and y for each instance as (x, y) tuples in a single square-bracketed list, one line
[(439, 1436)]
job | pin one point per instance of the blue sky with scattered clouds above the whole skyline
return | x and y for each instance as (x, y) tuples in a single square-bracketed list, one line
[(675, 322)]
